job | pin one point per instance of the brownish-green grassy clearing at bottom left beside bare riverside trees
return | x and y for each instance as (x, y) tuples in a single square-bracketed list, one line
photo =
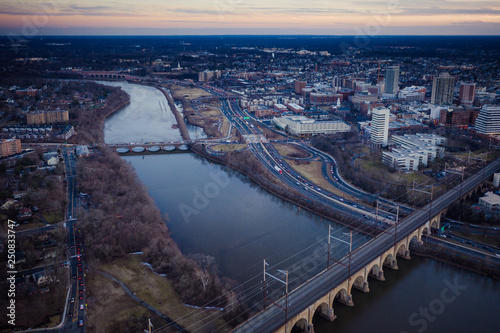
[(159, 293)]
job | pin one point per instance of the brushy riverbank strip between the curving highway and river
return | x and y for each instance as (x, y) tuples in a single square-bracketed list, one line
[(246, 163)]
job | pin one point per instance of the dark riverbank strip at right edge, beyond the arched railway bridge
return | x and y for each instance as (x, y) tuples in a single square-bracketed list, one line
[(488, 268)]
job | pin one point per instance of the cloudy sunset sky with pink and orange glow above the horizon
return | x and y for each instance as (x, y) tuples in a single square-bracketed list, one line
[(275, 17)]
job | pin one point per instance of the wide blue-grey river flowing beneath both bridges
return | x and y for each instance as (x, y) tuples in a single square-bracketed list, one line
[(218, 212)]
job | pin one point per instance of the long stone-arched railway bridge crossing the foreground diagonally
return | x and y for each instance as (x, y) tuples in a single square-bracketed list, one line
[(319, 293)]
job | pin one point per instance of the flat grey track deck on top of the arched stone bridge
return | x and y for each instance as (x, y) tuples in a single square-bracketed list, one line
[(273, 317)]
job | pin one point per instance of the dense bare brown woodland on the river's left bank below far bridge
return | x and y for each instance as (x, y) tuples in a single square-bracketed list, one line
[(121, 218)]
